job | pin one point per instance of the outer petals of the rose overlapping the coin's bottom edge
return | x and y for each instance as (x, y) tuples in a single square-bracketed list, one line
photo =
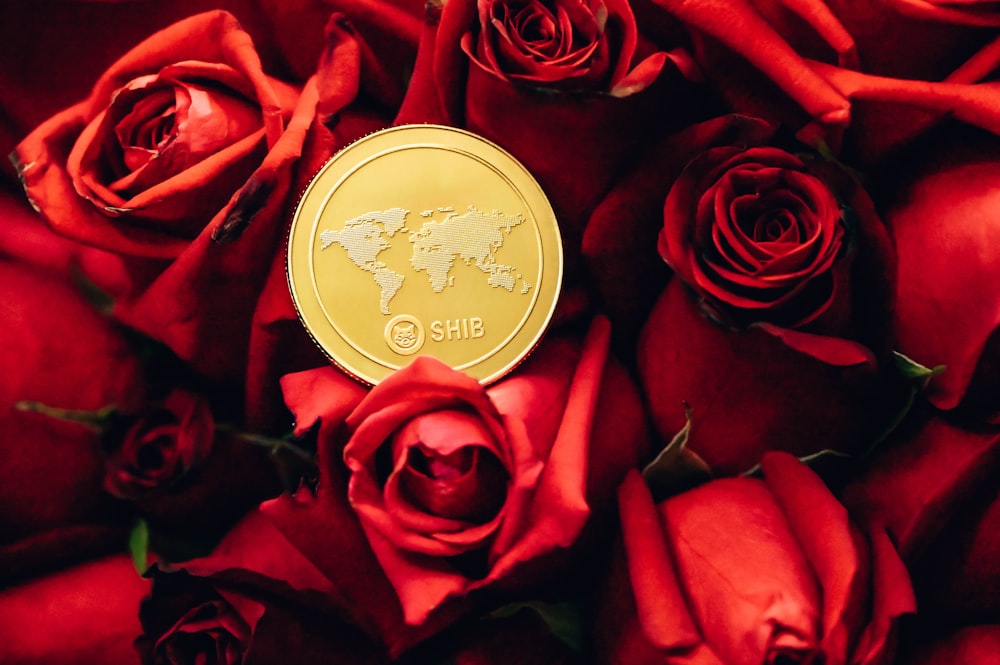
[(566, 425)]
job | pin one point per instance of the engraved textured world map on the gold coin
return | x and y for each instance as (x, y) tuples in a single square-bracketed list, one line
[(473, 236)]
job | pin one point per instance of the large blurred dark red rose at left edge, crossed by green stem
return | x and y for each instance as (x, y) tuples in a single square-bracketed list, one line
[(59, 355)]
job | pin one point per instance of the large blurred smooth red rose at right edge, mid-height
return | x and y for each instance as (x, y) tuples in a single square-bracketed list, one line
[(948, 309)]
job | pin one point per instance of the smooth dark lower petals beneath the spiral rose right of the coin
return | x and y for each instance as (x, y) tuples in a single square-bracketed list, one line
[(798, 403)]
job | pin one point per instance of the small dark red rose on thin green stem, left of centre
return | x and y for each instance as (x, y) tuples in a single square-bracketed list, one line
[(160, 446)]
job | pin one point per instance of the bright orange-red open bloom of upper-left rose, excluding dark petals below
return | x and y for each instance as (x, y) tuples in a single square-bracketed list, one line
[(169, 132)]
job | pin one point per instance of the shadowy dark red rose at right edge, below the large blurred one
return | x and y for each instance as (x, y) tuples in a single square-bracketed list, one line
[(933, 487)]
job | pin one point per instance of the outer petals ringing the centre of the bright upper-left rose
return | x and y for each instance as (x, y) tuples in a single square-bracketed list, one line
[(47, 158)]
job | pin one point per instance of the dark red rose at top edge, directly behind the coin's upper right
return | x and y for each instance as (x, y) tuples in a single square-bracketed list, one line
[(536, 76)]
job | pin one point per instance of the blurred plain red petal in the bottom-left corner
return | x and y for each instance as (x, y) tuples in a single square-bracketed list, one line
[(87, 614)]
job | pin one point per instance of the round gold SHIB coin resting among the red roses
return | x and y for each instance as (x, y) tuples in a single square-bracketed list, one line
[(424, 240)]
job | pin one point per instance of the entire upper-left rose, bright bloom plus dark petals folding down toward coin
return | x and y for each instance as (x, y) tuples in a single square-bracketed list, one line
[(181, 162)]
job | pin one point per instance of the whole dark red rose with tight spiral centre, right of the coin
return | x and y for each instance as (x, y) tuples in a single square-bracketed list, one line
[(775, 326)]
